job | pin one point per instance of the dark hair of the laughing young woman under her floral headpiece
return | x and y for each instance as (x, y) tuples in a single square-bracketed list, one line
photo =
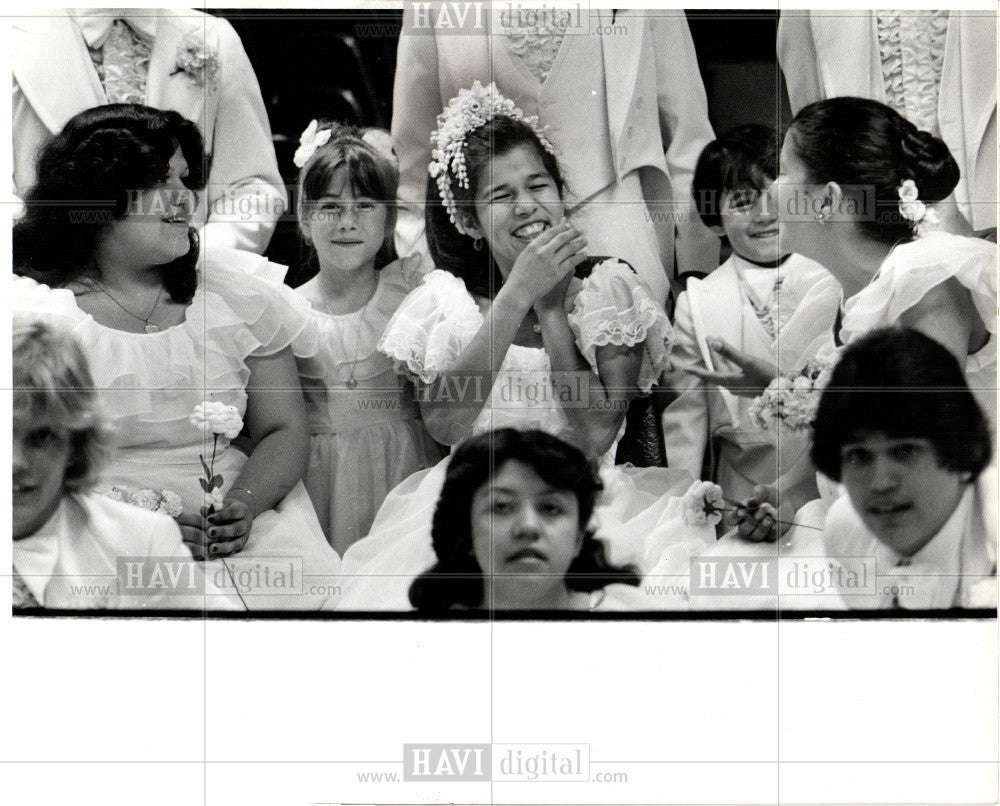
[(450, 249)]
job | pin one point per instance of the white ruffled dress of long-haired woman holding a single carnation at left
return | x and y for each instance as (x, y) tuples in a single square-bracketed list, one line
[(150, 384)]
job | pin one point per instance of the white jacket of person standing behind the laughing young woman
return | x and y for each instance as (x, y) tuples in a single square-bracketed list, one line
[(629, 102)]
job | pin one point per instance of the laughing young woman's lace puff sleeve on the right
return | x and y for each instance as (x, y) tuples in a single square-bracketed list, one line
[(614, 308)]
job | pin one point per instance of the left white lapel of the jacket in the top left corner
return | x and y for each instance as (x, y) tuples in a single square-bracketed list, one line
[(53, 68)]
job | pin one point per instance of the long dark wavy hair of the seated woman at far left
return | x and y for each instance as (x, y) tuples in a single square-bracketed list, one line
[(87, 177)]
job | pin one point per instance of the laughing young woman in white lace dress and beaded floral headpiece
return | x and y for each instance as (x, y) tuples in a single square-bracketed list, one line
[(506, 334)]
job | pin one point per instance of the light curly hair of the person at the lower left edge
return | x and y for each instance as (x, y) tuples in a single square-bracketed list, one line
[(52, 379)]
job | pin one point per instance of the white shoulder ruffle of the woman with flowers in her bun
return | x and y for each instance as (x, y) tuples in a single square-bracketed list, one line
[(914, 268)]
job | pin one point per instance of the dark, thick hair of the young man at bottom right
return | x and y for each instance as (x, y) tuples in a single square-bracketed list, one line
[(901, 383)]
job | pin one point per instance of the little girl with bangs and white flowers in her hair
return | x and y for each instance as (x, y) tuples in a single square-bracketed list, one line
[(364, 421)]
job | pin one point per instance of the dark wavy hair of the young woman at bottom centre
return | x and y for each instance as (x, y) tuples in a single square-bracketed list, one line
[(456, 578)]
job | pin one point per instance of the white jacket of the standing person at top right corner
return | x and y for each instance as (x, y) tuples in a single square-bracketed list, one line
[(826, 54)]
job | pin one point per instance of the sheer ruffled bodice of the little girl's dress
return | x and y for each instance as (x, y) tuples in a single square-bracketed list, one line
[(336, 348)]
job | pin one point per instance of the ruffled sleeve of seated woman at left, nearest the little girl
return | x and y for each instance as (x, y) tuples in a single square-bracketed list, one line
[(264, 316)]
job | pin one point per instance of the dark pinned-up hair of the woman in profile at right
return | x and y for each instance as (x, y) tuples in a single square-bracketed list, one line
[(866, 144)]
